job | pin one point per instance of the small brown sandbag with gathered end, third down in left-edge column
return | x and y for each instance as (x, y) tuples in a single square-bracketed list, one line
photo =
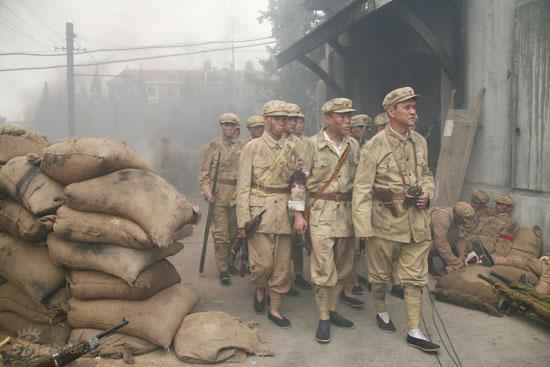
[(20, 222)]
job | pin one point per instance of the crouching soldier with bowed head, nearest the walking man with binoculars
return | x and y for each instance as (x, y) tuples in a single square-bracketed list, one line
[(448, 231)]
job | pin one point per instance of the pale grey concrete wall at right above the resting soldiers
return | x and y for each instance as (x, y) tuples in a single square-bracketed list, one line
[(492, 45)]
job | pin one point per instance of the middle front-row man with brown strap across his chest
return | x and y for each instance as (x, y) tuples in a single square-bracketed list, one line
[(331, 159)]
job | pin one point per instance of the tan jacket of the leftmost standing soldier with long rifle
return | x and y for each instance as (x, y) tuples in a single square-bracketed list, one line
[(229, 159)]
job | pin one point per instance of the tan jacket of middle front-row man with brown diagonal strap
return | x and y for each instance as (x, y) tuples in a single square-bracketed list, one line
[(329, 217)]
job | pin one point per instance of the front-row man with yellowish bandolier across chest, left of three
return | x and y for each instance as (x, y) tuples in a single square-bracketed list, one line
[(265, 169)]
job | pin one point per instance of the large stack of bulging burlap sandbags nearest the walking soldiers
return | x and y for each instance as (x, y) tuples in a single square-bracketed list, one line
[(114, 234)]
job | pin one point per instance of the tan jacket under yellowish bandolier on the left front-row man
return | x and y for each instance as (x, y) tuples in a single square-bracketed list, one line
[(256, 158)]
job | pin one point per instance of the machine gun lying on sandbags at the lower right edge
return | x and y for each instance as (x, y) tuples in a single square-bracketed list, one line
[(518, 298)]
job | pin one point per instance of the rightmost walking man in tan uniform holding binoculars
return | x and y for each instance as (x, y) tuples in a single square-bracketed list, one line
[(393, 187)]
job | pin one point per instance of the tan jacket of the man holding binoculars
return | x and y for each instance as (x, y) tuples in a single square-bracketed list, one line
[(378, 169)]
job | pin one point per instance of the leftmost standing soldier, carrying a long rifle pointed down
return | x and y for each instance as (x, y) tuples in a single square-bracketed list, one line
[(224, 222)]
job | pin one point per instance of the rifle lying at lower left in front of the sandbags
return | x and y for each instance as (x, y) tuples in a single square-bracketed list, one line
[(73, 352)]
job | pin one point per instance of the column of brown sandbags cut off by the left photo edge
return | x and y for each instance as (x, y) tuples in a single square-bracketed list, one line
[(33, 296)]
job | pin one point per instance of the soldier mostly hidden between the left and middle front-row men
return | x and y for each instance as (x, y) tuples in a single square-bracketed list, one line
[(296, 120)]
